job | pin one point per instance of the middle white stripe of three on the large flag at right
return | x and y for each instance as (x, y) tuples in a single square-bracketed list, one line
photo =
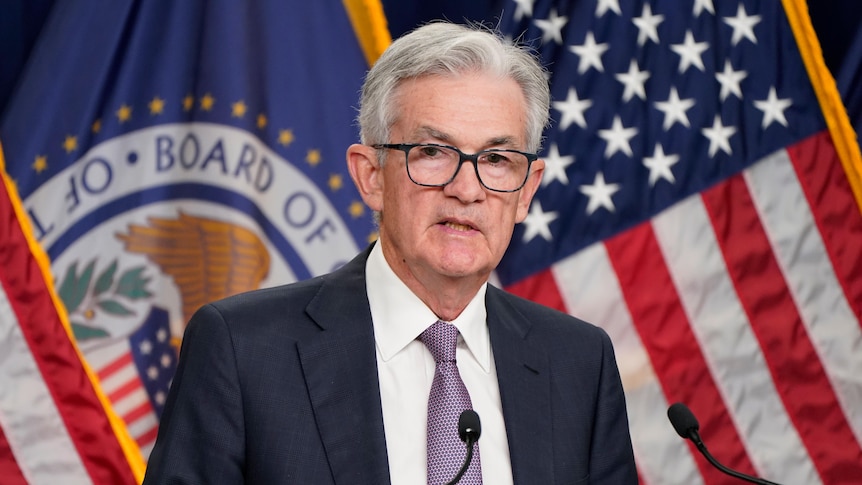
[(728, 344)]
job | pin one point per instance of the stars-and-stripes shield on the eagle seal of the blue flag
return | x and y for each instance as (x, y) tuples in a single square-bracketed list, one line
[(135, 374)]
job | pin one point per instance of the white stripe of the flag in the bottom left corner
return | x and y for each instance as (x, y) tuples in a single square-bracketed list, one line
[(29, 416)]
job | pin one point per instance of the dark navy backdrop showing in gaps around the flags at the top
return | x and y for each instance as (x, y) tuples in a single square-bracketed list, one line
[(837, 22)]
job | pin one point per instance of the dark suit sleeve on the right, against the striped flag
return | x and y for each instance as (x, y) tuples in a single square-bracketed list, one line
[(611, 457)]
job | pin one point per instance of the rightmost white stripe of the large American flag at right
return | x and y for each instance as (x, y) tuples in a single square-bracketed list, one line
[(798, 246)]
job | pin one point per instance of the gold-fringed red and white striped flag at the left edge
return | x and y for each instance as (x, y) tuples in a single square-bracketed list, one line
[(55, 426)]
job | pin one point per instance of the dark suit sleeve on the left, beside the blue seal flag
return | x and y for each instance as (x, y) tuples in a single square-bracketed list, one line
[(201, 435)]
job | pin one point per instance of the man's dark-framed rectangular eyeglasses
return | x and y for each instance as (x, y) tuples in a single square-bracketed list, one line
[(433, 165)]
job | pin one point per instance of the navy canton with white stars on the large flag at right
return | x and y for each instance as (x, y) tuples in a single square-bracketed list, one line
[(648, 108)]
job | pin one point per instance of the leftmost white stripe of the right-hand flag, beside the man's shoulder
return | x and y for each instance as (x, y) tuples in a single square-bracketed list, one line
[(591, 291)]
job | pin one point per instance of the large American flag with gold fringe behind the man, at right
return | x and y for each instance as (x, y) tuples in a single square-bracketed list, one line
[(694, 204)]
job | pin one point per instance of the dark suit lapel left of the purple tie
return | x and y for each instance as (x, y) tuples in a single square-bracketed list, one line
[(340, 368)]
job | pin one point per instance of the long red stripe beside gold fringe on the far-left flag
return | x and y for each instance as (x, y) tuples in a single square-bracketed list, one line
[(55, 355)]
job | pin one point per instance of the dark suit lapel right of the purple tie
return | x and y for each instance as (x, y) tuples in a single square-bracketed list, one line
[(525, 391)]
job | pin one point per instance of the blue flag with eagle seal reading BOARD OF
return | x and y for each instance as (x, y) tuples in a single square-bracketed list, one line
[(172, 153)]
